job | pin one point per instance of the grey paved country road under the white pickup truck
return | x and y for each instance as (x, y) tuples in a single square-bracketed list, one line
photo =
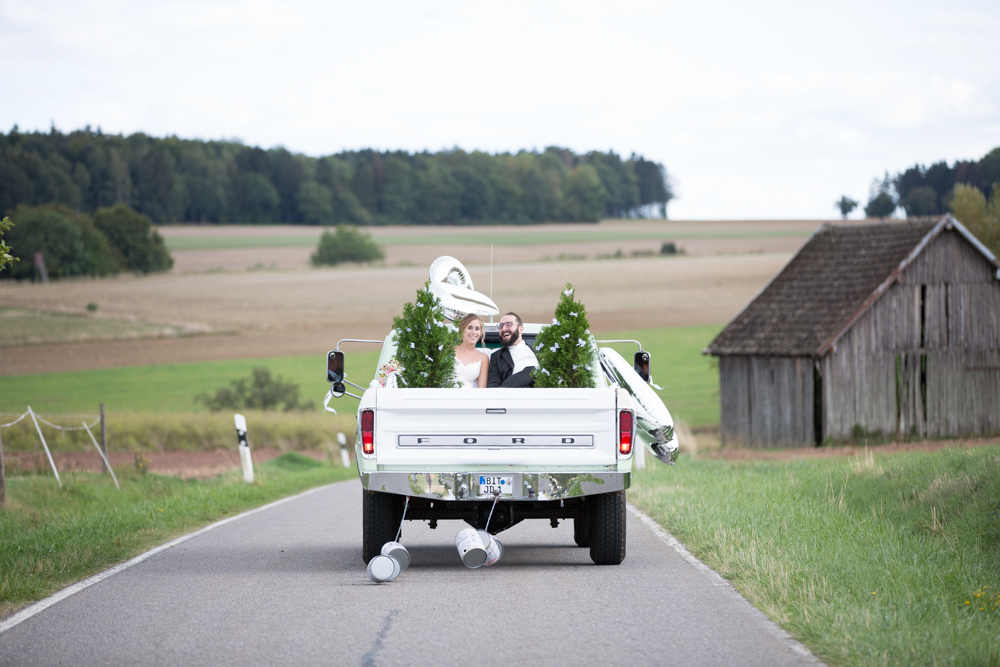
[(286, 586)]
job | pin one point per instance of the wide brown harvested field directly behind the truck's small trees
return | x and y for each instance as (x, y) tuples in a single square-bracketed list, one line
[(279, 313)]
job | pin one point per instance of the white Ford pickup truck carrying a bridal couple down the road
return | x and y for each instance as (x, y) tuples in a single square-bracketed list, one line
[(549, 453)]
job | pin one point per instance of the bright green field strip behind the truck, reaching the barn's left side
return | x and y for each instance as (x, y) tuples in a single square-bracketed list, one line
[(689, 379)]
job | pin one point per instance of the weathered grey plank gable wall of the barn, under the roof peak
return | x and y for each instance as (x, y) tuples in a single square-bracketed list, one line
[(925, 358)]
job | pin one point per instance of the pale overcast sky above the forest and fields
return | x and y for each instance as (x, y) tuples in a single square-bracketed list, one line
[(757, 110)]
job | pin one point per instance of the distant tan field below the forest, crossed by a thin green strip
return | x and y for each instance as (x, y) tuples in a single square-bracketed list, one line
[(198, 248)]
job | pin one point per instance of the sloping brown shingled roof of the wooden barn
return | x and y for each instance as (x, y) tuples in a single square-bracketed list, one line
[(828, 284)]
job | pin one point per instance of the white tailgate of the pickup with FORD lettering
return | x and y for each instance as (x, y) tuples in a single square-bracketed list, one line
[(450, 428)]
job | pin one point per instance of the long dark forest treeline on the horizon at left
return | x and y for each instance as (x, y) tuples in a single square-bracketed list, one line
[(181, 180)]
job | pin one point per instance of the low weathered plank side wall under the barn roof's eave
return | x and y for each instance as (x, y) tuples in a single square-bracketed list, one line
[(766, 400)]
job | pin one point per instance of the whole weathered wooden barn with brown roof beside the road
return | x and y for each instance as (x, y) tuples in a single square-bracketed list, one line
[(890, 328)]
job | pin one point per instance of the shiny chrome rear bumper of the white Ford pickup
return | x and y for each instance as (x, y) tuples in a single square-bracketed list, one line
[(526, 485)]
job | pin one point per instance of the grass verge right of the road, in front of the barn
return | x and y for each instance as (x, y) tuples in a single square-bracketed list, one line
[(876, 560)]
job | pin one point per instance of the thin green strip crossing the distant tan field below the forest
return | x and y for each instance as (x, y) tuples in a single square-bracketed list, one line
[(502, 237)]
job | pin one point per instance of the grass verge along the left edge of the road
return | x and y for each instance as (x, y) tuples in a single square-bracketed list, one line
[(53, 537)]
